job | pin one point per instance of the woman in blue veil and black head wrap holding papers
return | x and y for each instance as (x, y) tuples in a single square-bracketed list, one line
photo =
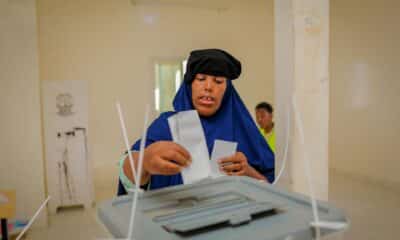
[(207, 88)]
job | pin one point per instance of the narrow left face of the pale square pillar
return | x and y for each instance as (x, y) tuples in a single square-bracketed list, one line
[(284, 84)]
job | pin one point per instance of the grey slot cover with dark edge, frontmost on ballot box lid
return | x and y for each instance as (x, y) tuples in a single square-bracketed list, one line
[(234, 215)]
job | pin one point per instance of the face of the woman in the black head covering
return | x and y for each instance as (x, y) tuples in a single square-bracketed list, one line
[(207, 93)]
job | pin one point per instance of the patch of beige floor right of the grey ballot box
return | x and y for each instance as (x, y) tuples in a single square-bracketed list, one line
[(373, 210)]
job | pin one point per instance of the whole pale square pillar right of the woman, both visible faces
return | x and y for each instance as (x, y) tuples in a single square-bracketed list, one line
[(302, 53)]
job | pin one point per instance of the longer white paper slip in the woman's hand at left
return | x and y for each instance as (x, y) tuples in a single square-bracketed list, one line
[(187, 131)]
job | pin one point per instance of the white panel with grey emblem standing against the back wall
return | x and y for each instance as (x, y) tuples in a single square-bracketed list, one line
[(66, 130)]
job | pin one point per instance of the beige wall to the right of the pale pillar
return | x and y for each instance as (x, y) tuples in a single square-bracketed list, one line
[(365, 89)]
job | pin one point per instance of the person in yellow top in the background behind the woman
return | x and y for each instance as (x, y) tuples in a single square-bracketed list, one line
[(264, 117)]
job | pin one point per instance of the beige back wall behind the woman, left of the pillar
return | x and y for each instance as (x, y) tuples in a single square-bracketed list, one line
[(110, 44)]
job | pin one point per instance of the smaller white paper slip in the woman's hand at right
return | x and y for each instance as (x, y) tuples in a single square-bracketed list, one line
[(221, 149)]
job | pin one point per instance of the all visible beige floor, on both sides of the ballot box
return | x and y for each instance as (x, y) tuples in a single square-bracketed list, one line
[(372, 209)]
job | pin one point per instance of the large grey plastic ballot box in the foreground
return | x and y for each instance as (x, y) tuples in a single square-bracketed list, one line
[(223, 208)]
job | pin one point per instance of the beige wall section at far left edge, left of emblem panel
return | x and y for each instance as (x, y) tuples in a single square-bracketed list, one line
[(21, 161)]
